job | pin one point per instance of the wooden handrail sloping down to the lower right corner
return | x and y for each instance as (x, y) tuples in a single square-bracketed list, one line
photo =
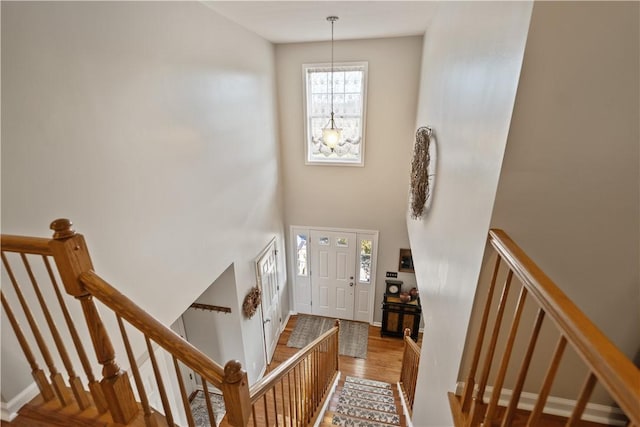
[(612, 368)]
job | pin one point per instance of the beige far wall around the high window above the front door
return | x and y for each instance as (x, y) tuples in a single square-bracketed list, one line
[(373, 197)]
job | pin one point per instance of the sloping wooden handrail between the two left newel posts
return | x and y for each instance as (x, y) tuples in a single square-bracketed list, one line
[(152, 328)]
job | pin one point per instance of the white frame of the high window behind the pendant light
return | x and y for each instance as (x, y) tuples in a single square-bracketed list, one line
[(307, 140)]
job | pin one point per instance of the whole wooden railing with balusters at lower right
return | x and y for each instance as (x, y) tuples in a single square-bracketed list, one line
[(604, 362)]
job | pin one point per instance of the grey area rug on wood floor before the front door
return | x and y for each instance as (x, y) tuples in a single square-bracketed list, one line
[(354, 336)]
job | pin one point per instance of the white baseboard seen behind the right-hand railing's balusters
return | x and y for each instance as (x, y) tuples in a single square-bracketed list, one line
[(604, 414)]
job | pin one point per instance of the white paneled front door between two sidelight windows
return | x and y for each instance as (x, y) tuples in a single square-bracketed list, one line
[(333, 265)]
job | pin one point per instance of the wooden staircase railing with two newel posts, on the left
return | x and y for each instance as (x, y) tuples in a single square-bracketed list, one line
[(289, 395)]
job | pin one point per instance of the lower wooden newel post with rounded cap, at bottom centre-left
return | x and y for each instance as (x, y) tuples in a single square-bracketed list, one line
[(235, 390)]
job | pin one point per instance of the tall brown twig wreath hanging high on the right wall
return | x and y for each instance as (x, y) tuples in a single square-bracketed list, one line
[(420, 188)]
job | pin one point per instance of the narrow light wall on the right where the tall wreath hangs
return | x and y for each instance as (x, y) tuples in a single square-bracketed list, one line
[(470, 66)]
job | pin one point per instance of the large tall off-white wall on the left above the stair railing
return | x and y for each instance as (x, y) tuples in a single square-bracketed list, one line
[(155, 134)]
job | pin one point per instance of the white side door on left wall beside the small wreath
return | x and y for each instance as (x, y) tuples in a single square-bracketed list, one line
[(267, 274)]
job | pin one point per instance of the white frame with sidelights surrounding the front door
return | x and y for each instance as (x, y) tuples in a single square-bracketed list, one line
[(303, 306)]
